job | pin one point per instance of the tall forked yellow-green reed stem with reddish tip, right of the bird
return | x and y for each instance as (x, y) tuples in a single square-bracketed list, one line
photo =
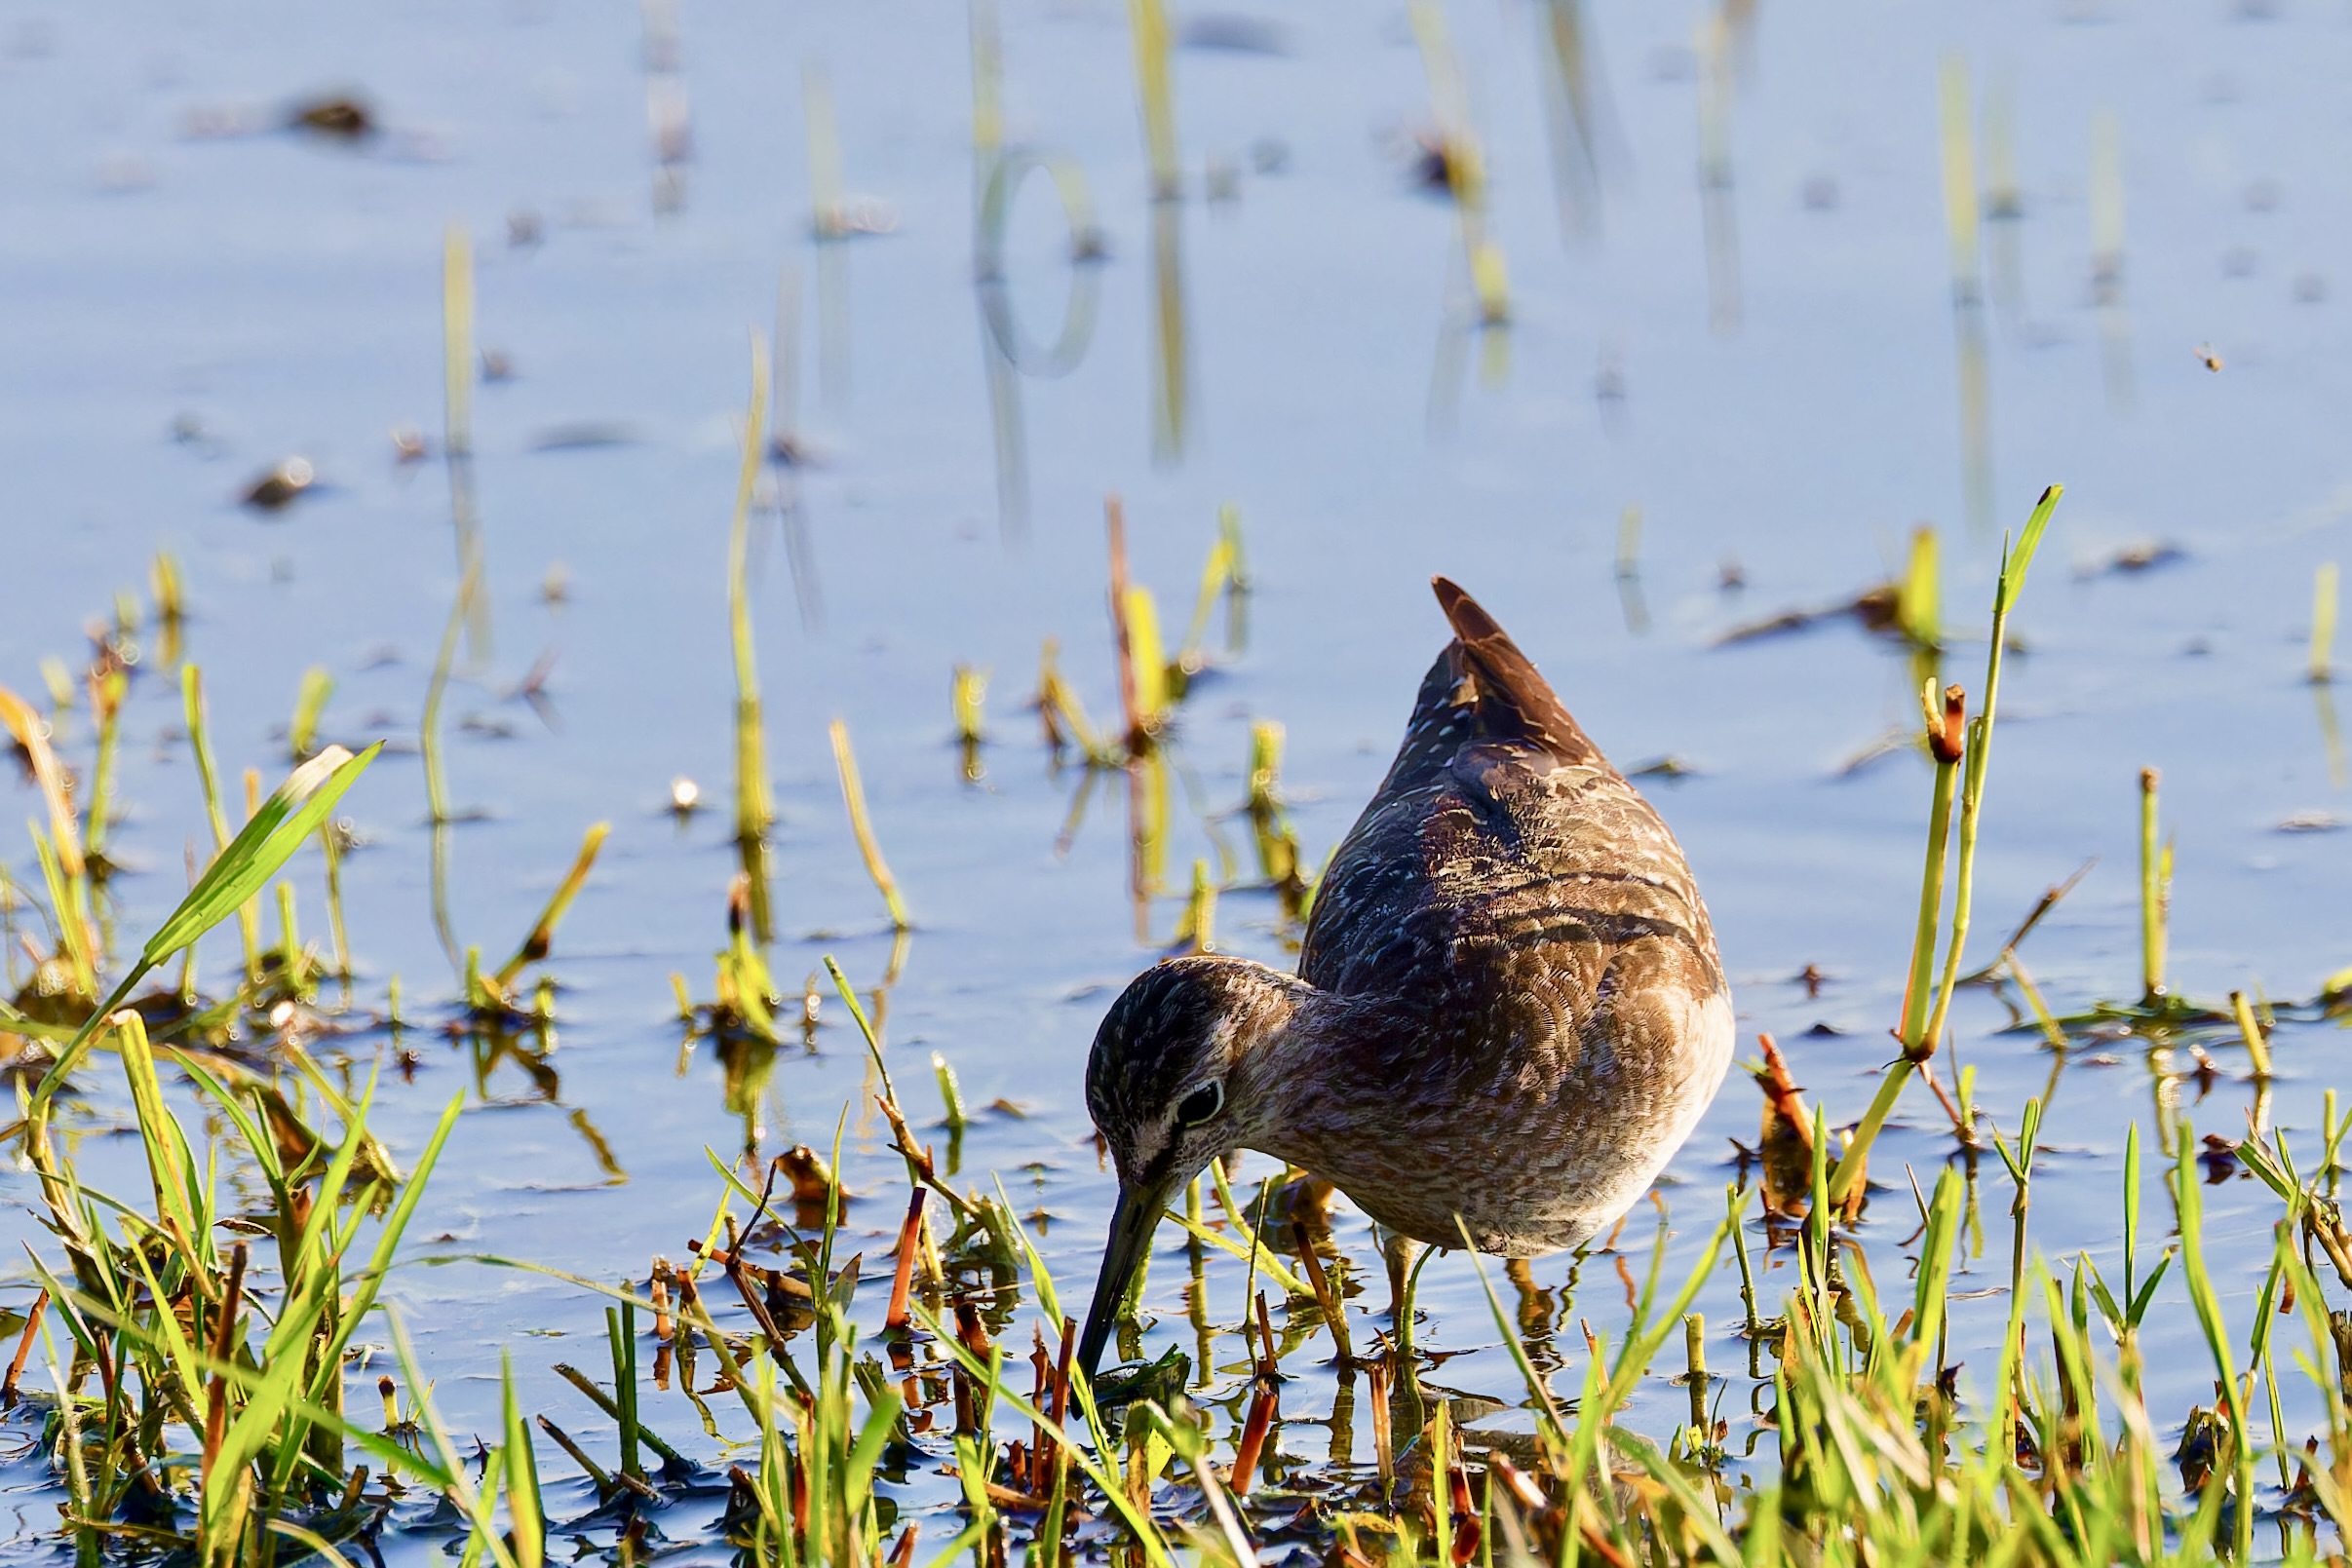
[(1923, 1033)]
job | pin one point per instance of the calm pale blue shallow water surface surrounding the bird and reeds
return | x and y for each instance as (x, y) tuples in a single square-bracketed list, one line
[(279, 295)]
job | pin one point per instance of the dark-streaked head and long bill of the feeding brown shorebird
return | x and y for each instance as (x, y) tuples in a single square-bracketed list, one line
[(1177, 1078)]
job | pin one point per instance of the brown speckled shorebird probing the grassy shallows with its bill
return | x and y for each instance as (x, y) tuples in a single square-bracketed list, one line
[(1509, 1007)]
